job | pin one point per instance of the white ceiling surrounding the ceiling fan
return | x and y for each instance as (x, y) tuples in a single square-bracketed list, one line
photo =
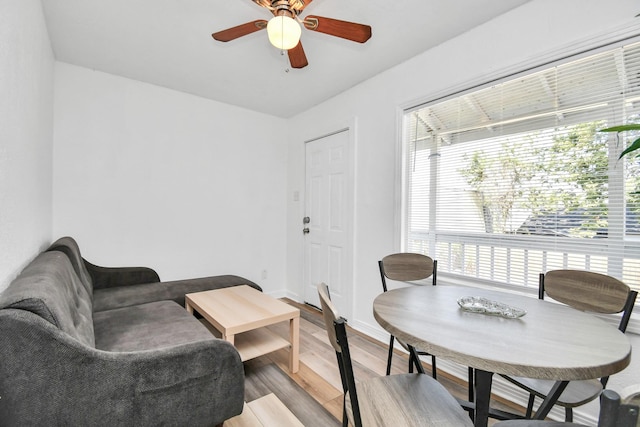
[(168, 43)]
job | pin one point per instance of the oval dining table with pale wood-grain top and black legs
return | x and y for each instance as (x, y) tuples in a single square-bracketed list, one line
[(551, 341)]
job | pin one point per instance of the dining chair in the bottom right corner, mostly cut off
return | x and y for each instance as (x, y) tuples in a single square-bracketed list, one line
[(614, 412)]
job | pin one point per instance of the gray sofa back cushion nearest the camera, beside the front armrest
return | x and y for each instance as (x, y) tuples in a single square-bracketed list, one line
[(50, 288)]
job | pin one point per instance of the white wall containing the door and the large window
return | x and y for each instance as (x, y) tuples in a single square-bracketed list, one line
[(539, 30)]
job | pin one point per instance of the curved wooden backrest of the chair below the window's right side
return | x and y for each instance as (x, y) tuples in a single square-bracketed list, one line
[(589, 291)]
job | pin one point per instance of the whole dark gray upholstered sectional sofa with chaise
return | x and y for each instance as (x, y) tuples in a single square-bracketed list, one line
[(87, 345)]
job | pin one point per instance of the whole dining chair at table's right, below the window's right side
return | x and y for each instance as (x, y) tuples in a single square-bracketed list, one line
[(585, 291)]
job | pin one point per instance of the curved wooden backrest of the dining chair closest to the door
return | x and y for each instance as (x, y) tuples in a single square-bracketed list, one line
[(407, 267)]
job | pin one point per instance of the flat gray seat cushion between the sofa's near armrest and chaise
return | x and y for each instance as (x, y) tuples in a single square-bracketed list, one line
[(147, 327)]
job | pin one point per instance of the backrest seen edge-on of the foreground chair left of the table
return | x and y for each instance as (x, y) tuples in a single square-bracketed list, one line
[(337, 332)]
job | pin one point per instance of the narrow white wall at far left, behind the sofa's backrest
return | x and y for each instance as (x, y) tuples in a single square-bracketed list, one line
[(26, 127)]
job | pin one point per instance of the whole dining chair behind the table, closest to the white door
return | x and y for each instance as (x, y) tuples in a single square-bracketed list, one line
[(408, 267)]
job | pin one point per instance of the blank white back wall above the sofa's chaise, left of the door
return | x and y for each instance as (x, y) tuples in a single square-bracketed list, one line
[(149, 176)]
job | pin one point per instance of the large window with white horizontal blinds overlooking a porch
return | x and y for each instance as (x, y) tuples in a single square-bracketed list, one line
[(508, 181)]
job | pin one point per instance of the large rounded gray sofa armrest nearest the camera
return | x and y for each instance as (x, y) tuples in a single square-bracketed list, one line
[(47, 376)]
